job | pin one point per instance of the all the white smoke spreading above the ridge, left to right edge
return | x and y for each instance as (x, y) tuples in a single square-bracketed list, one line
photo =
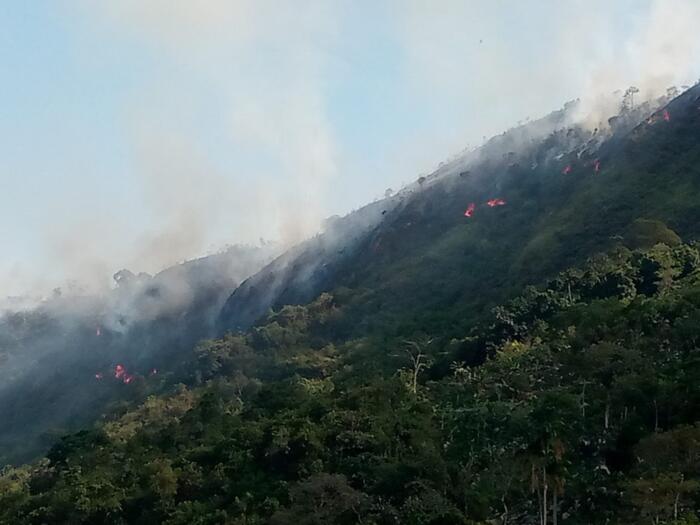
[(468, 69)]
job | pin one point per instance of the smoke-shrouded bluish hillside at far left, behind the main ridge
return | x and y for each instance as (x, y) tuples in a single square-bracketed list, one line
[(53, 357)]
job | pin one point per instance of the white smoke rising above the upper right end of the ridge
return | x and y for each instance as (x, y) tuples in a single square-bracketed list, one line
[(483, 66)]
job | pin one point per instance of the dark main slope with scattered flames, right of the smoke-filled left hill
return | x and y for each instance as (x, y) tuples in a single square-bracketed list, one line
[(424, 254)]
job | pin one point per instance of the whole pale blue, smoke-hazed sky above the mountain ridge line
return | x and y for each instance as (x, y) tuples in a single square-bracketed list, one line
[(140, 133)]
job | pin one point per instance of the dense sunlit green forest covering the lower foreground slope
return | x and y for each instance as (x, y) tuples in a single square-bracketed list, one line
[(576, 402)]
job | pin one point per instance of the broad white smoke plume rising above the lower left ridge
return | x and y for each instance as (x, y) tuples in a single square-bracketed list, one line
[(264, 64)]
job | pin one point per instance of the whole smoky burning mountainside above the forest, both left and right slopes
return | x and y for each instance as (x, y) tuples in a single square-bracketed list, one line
[(410, 264)]
